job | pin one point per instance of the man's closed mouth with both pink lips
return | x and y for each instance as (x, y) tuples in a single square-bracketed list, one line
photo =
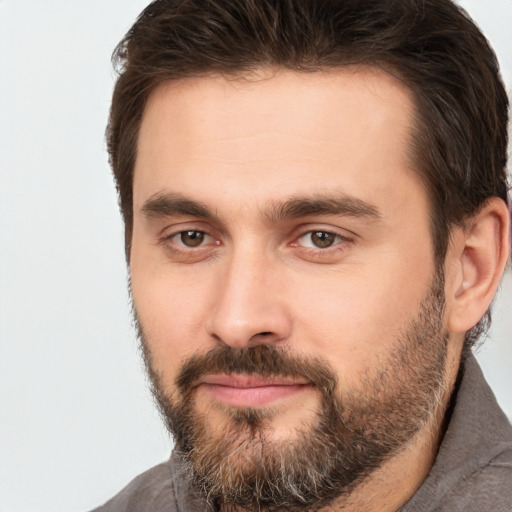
[(251, 390)]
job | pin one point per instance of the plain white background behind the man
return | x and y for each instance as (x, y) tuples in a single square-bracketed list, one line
[(76, 420)]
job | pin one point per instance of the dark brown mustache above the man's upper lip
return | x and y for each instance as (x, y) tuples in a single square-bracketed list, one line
[(262, 360)]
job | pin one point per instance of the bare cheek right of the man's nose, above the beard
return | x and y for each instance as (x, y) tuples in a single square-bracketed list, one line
[(357, 317)]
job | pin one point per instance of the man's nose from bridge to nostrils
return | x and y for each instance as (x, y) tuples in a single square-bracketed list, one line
[(249, 307)]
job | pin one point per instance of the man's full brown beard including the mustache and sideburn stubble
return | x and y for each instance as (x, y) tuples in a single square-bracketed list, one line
[(239, 467)]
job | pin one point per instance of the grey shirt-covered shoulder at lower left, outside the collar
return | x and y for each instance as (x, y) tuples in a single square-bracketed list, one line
[(152, 491)]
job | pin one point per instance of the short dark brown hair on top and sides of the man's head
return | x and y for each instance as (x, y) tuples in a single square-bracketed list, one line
[(460, 135)]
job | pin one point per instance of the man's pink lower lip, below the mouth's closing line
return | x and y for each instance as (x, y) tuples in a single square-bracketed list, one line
[(254, 396)]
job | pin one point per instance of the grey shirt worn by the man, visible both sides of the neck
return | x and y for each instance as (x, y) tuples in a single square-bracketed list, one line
[(472, 471)]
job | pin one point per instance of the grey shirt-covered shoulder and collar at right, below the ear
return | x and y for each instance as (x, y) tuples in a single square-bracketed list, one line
[(473, 468)]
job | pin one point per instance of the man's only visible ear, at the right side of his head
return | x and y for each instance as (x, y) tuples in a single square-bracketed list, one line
[(476, 261)]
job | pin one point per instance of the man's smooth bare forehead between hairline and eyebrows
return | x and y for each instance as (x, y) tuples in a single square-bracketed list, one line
[(278, 133)]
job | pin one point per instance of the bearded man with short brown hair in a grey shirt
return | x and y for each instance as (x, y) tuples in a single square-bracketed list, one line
[(315, 201)]
